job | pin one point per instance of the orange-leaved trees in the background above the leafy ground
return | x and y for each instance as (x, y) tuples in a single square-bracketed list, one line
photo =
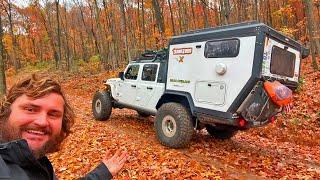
[(112, 32)]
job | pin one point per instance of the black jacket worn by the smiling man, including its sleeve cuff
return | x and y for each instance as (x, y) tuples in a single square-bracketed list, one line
[(17, 162)]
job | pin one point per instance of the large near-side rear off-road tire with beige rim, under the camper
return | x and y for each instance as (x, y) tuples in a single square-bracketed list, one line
[(182, 127)]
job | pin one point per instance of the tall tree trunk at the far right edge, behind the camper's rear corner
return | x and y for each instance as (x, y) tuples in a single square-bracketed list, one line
[(310, 20)]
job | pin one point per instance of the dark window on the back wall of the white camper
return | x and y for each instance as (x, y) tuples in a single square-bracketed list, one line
[(282, 62)]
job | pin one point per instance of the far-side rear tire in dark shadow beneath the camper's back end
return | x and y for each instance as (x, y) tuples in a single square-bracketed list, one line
[(221, 133)]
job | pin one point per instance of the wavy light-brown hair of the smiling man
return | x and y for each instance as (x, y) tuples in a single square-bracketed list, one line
[(37, 87)]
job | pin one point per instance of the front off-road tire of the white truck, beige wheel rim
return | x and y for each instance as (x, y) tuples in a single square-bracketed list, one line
[(102, 105)]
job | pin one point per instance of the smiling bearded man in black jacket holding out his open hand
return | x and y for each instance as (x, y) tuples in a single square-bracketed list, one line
[(35, 118)]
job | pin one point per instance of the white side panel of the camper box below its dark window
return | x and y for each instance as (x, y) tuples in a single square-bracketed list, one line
[(196, 68)]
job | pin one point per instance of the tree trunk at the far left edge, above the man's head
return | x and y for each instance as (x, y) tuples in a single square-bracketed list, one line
[(2, 67)]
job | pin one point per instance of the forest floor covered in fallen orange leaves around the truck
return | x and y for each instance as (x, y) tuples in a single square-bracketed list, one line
[(286, 149)]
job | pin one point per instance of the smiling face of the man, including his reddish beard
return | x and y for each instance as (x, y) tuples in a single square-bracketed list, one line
[(38, 121)]
